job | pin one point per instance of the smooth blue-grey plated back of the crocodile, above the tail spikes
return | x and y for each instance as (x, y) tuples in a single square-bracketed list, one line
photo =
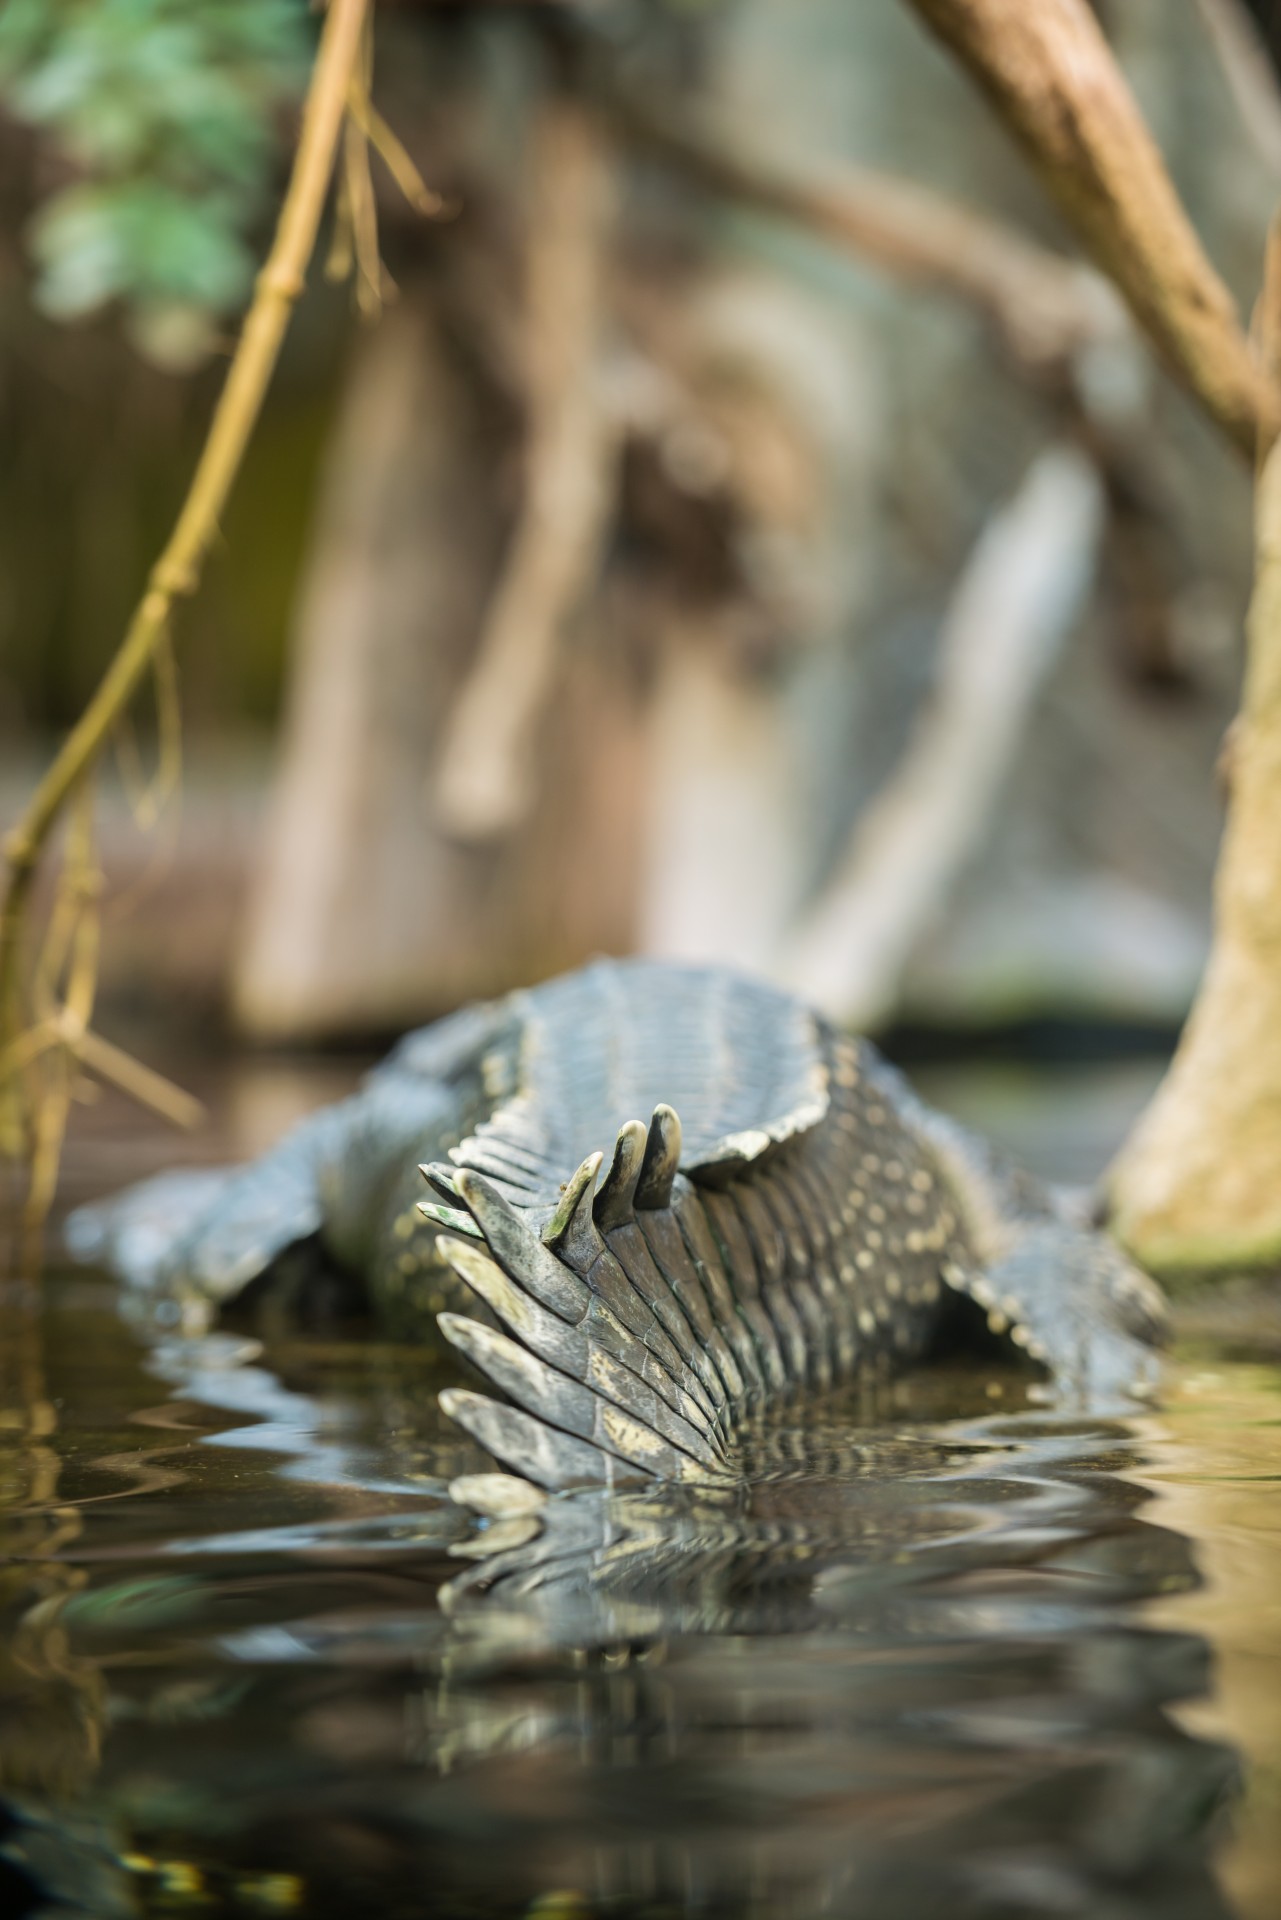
[(738, 1061)]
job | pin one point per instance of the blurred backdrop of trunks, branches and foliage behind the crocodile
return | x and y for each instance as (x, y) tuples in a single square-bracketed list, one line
[(733, 527)]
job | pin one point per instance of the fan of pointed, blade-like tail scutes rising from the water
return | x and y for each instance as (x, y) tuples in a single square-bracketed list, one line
[(623, 1355)]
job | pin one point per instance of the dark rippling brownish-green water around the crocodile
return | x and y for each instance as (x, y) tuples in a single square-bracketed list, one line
[(1009, 1666)]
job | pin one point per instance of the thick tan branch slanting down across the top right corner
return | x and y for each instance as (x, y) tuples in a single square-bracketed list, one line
[(1051, 78)]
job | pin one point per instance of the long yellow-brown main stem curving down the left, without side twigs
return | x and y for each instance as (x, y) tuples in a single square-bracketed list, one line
[(235, 418)]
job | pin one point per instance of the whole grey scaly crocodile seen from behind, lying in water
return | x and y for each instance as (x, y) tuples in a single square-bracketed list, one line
[(777, 1212)]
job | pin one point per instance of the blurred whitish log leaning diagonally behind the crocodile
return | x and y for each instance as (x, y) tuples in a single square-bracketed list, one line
[(1011, 615)]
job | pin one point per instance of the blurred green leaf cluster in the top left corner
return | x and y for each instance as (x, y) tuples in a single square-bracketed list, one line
[(170, 114)]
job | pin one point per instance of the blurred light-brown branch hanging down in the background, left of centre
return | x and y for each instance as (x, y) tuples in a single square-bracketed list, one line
[(485, 780)]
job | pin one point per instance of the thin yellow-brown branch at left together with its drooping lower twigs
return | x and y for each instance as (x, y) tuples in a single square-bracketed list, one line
[(176, 573)]
